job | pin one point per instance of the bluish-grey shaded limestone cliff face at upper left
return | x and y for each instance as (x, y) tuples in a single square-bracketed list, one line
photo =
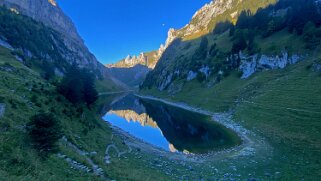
[(49, 13)]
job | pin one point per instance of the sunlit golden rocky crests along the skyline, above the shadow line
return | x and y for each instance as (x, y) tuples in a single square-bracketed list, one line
[(203, 22)]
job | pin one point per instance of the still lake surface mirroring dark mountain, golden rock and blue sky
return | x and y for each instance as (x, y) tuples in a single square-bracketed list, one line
[(168, 127)]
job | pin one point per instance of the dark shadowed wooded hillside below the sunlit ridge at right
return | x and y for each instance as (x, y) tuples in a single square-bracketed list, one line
[(212, 57)]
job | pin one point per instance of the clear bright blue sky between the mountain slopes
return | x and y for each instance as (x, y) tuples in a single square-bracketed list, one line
[(112, 29)]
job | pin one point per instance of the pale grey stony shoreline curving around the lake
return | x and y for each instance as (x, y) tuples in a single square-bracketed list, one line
[(250, 142)]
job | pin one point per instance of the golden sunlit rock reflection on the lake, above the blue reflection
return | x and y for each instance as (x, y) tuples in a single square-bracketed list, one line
[(131, 115)]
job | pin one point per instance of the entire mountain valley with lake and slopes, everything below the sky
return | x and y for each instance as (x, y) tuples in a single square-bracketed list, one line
[(235, 94)]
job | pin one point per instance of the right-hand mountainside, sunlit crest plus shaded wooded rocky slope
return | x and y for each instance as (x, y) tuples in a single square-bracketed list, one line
[(214, 56)]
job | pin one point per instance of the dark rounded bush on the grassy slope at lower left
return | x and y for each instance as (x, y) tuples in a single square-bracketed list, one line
[(44, 131)]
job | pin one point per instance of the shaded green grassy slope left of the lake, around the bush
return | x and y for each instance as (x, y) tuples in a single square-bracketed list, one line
[(19, 161)]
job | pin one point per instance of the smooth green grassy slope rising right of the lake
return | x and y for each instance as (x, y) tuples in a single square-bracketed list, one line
[(282, 105)]
